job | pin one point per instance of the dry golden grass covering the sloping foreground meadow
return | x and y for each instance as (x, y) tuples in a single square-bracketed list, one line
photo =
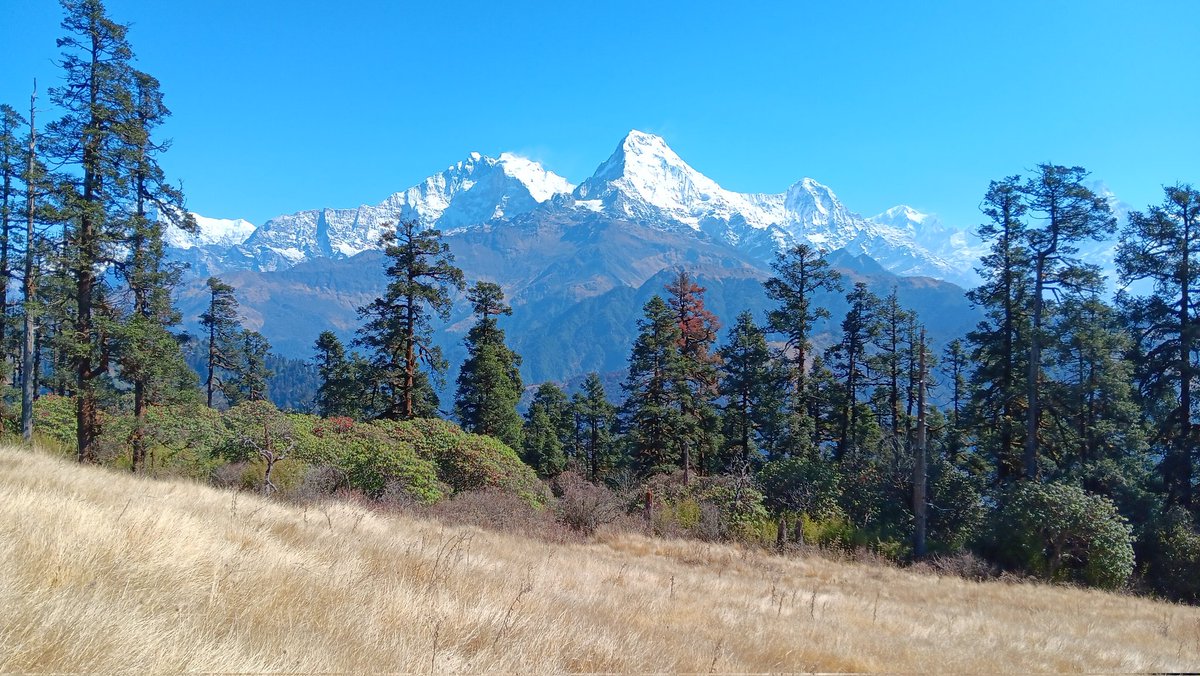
[(103, 572)]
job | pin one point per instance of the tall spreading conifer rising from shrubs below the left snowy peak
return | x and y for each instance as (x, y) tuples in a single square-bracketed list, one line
[(422, 274)]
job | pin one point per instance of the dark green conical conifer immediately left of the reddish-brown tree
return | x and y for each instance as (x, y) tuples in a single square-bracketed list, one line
[(652, 410)]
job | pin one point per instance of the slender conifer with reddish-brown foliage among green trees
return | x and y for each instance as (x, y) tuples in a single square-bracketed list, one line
[(698, 375)]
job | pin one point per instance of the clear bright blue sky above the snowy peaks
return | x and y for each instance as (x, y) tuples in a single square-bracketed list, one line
[(281, 106)]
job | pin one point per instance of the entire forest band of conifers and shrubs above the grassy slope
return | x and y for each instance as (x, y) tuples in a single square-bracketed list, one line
[(1066, 447)]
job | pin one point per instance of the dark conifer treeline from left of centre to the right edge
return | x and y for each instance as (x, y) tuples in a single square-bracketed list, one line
[(1066, 447)]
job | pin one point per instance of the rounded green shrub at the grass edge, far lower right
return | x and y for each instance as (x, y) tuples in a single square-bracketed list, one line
[(1060, 533)]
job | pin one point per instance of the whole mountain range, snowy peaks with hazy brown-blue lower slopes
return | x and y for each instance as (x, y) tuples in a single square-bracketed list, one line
[(575, 261)]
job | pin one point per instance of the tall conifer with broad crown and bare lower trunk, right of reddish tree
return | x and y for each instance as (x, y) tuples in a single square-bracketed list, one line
[(801, 273)]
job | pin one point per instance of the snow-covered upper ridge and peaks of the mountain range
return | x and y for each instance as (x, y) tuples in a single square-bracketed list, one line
[(644, 182)]
